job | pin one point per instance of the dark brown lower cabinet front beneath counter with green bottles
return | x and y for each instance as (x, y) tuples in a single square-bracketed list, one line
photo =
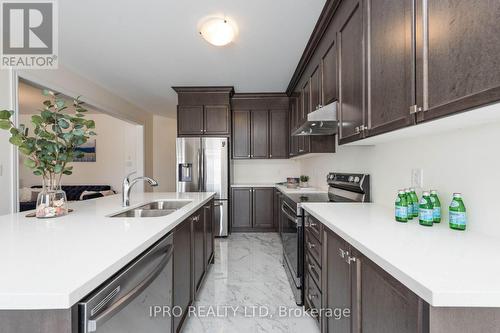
[(347, 282)]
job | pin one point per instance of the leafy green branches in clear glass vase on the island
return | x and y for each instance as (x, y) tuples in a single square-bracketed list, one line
[(57, 133)]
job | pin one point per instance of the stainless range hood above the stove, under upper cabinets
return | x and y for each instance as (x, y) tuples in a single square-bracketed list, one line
[(322, 121)]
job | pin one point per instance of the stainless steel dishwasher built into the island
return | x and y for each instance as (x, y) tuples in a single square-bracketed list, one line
[(123, 303)]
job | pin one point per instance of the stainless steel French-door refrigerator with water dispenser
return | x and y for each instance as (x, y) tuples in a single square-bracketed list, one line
[(203, 166)]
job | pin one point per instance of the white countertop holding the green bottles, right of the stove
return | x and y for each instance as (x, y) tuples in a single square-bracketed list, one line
[(444, 267)]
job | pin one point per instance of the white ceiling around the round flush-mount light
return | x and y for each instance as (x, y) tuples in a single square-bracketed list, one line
[(140, 49)]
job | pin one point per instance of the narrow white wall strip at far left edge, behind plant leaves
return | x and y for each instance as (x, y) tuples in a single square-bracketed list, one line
[(6, 193)]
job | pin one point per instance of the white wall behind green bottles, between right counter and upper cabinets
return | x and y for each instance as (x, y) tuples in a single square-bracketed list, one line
[(465, 160)]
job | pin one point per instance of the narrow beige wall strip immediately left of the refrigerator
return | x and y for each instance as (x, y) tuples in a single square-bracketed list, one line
[(165, 133)]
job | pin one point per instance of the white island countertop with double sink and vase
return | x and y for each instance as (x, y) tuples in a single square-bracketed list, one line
[(54, 263)]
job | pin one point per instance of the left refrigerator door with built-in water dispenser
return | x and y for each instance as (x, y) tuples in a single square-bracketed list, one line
[(189, 159)]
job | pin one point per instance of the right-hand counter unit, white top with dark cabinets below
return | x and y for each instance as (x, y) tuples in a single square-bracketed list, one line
[(433, 279)]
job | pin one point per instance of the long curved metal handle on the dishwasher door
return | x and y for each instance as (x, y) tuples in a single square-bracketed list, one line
[(92, 324)]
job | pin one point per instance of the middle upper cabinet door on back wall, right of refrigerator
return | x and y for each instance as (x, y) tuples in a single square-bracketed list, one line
[(259, 134)]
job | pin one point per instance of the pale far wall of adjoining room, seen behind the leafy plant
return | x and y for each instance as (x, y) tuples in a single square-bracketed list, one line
[(116, 155)]
